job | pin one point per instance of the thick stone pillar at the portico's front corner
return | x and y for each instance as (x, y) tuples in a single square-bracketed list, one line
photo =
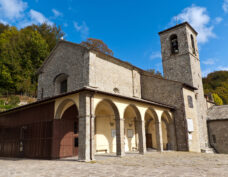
[(85, 116)]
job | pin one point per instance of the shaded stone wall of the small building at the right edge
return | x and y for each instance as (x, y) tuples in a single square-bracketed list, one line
[(218, 135)]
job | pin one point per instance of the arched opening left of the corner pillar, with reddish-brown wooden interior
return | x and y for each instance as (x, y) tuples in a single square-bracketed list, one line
[(65, 130)]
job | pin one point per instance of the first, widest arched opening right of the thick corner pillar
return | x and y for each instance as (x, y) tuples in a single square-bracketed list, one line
[(105, 127)]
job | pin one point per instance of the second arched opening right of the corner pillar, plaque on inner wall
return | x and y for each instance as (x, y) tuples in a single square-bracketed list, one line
[(131, 128)]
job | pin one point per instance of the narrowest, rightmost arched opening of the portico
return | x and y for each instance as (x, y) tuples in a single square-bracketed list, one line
[(168, 131)]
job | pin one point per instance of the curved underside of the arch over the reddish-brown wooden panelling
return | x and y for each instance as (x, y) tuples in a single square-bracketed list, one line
[(63, 106)]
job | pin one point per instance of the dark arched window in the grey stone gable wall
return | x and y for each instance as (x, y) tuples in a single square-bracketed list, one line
[(60, 83)]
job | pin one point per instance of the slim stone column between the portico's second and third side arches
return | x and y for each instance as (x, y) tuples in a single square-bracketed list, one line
[(142, 138)]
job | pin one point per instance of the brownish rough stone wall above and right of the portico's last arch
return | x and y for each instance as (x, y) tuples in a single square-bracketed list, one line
[(168, 92)]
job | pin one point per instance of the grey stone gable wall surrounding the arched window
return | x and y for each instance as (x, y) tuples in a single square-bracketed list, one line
[(69, 59)]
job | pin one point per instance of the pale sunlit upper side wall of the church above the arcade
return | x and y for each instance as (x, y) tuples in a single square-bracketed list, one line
[(110, 75)]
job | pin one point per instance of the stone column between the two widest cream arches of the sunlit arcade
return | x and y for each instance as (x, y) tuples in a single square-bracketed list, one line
[(120, 149)]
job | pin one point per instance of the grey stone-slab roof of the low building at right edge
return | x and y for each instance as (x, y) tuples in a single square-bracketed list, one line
[(218, 112)]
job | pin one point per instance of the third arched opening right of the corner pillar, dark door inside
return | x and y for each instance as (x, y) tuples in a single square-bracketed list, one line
[(151, 128)]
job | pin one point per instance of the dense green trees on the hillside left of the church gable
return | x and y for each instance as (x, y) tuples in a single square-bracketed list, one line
[(22, 53)]
